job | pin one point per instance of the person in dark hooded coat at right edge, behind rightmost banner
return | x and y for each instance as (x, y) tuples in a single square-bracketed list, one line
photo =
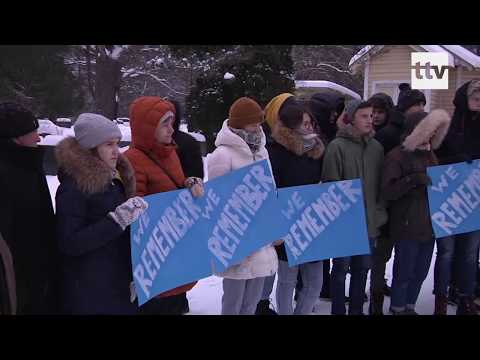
[(462, 143)]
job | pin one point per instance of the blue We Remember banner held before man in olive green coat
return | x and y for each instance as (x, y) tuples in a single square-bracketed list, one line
[(323, 221)]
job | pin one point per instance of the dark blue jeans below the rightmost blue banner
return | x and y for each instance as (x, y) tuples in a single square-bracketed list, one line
[(467, 250)]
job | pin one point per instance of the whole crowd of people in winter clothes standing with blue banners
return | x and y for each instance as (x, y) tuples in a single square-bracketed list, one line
[(76, 260)]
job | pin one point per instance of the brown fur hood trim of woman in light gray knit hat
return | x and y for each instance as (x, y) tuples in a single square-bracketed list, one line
[(90, 173)]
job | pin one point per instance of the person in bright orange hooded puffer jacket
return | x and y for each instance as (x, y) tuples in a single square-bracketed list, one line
[(158, 169)]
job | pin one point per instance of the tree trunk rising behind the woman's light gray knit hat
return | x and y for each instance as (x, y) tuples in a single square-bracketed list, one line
[(107, 85)]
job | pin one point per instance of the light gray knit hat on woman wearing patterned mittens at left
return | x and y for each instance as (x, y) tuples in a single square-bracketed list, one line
[(92, 130)]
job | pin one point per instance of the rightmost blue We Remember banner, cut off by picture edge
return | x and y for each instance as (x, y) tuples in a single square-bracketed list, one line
[(454, 198)]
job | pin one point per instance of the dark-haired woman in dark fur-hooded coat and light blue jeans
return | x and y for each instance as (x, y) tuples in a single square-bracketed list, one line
[(296, 160)]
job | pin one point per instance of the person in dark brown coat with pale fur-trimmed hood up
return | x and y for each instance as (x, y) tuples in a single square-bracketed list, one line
[(404, 186)]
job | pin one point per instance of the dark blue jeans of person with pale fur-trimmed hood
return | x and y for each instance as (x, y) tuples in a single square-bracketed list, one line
[(410, 268)]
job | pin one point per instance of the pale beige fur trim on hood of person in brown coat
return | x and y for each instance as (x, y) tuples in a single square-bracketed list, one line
[(434, 126)]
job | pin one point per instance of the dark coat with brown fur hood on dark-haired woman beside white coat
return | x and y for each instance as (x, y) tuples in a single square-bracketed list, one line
[(292, 167)]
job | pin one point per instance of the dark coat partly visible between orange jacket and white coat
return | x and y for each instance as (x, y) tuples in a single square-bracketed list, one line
[(189, 153)]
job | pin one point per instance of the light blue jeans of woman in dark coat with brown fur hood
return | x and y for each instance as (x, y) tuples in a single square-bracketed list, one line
[(312, 278)]
